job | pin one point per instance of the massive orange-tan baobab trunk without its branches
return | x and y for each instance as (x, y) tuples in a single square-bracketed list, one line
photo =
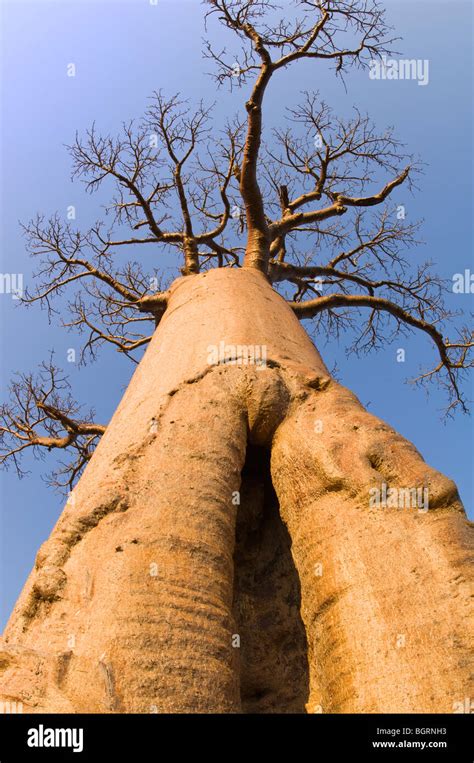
[(168, 583)]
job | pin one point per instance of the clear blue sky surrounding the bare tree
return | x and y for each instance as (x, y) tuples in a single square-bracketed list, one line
[(123, 50)]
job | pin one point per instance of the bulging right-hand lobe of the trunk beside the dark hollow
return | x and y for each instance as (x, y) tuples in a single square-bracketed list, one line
[(386, 599)]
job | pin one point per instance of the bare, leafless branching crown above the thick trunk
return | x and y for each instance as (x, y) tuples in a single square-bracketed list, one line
[(239, 197)]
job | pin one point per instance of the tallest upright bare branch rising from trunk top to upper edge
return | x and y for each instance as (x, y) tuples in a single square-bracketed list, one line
[(320, 36)]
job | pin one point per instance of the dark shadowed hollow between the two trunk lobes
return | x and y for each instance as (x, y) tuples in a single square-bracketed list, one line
[(273, 647)]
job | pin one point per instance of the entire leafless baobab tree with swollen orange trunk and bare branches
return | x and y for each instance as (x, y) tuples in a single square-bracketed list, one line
[(242, 535)]
